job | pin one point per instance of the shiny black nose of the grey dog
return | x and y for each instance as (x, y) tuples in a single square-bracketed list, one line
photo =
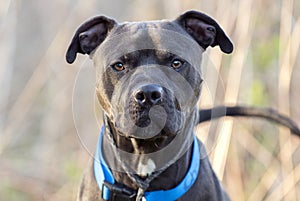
[(148, 94)]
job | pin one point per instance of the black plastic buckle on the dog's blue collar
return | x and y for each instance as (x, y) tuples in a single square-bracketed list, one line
[(114, 192)]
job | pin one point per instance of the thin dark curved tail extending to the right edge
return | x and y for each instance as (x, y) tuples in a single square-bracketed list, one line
[(245, 111)]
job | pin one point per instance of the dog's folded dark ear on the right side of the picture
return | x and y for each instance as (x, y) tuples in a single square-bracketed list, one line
[(205, 30)]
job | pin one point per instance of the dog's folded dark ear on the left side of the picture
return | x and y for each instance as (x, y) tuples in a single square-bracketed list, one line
[(88, 36)]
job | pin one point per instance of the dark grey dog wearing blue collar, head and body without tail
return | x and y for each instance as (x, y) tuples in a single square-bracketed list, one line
[(148, 83)]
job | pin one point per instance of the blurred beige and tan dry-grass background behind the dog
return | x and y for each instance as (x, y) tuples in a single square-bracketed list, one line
[(49, 117)]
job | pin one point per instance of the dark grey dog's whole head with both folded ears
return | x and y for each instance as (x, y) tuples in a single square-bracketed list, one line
[(148, 73)]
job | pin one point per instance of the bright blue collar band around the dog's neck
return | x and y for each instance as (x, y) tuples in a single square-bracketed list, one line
[(104, 176)]
